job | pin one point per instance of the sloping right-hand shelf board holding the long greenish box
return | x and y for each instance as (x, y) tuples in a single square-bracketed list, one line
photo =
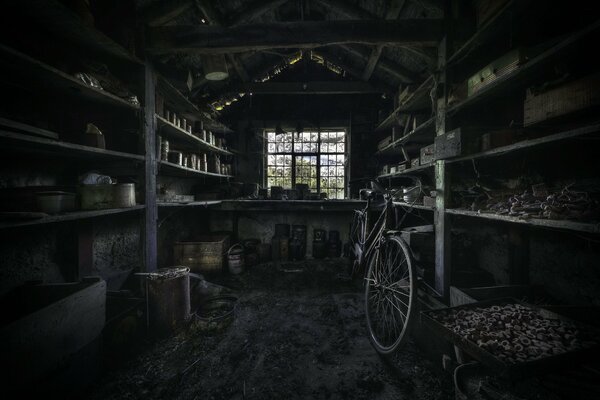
[(525, 74)]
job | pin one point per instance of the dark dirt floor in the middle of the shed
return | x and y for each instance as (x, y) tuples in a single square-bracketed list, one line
[(297, 333)]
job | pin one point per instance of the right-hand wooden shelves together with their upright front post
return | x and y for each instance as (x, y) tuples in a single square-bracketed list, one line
[(470, 57)]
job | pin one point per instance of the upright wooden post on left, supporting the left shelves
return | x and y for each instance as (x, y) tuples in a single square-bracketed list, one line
[(150, 232)]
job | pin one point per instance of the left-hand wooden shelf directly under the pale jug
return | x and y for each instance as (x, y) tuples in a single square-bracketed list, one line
[(32, 144)]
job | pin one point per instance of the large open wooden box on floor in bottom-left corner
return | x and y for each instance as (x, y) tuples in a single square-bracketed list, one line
[(45, 326)]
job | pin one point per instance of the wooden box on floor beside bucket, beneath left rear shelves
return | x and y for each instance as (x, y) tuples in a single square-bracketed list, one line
[(205, 255)]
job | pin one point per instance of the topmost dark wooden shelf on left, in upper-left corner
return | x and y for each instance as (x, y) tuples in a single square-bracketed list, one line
[(61, 21)]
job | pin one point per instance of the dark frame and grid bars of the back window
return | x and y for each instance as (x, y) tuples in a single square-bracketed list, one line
[(316, 154)]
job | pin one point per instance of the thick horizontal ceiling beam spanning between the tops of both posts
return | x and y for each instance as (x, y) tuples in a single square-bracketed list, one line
[(213, 39)]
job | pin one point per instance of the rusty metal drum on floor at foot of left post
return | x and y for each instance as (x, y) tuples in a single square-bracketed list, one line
[(168, 299)]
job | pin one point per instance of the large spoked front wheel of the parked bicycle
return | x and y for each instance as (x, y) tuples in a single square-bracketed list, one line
[(390, 295)]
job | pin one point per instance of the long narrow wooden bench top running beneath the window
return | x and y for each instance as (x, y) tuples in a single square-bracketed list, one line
[(291, 205)]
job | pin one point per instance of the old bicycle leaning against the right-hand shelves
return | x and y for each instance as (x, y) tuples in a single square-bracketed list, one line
[(390, 278)]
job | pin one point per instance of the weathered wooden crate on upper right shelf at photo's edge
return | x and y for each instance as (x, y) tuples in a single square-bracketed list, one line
[(574, 96)]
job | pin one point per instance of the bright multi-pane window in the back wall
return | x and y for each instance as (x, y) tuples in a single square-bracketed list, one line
[(314, 158)]
